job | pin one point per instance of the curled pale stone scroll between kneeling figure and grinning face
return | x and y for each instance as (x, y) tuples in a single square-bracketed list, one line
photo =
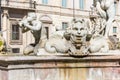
[(57, 44)]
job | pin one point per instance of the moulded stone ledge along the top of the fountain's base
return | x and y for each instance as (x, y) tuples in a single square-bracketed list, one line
[(56, 61)]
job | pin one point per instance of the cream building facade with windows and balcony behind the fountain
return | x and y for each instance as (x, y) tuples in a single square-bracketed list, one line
[(53, 13)]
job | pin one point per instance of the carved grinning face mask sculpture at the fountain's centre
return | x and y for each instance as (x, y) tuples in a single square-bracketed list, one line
[(77, 37)]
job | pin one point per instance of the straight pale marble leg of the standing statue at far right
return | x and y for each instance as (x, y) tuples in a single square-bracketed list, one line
[(111, 15)]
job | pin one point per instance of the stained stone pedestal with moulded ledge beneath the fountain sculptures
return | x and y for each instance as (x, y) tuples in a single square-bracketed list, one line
[(60, 67)]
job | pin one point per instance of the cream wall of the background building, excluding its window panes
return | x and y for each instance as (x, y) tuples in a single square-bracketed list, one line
[(17, 9)]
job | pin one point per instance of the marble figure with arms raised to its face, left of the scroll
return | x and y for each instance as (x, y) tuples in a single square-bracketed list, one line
[(31, 23)]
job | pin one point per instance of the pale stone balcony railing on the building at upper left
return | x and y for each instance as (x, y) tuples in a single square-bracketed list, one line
[(18, 4)]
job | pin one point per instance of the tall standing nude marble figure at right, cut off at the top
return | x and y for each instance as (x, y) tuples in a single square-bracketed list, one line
[(106, 10)]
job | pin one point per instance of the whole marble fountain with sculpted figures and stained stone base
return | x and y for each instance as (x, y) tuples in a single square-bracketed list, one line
[(81, 52)]
